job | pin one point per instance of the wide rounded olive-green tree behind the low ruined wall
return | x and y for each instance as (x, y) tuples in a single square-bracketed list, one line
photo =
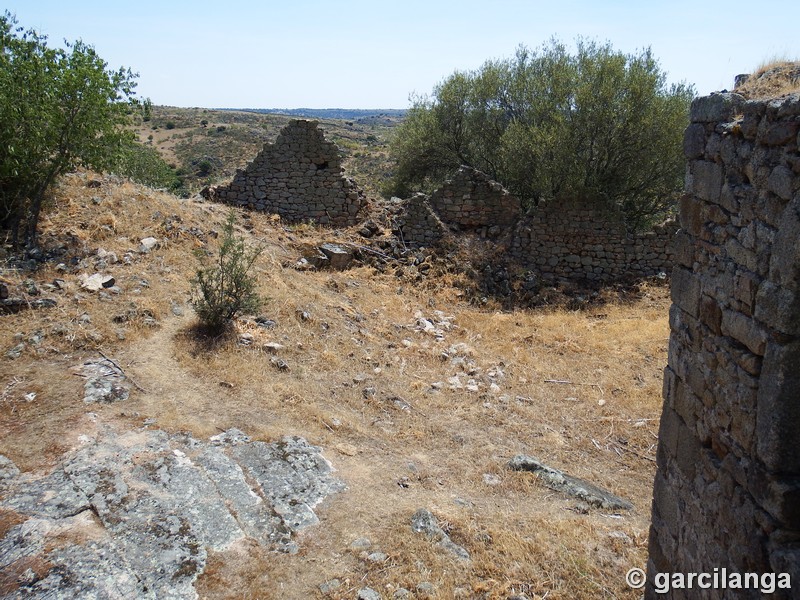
[(596, 125)]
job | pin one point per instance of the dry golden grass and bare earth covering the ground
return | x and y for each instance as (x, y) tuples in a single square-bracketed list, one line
[(359, 384)]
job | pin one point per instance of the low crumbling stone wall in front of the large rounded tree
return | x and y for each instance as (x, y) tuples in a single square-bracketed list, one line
[(556, 240)]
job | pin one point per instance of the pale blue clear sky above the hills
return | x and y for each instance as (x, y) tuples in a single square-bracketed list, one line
[(373, 54)]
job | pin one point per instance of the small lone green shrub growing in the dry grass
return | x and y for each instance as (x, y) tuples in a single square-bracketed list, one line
[(224, 290)]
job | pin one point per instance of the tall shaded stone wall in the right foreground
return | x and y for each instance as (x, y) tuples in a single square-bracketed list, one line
[(727, 488)]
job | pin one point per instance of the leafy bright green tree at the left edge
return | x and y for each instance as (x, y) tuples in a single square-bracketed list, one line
[(59, 109)]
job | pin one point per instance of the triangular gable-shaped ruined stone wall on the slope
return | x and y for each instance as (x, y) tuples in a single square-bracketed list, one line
[(298, 177)]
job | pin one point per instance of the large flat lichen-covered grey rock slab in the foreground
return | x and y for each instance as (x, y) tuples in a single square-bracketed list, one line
[(141, 509)]
